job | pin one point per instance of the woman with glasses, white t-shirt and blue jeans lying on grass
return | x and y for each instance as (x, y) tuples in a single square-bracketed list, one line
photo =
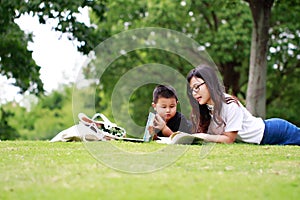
[(220, 117)]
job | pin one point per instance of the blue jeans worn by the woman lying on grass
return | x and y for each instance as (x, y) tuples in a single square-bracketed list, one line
[(282, 132)]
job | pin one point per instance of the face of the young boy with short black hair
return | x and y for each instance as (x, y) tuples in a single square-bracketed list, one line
[(165, 107)]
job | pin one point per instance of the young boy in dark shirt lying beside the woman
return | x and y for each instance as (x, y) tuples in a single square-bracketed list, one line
[(167, 119)]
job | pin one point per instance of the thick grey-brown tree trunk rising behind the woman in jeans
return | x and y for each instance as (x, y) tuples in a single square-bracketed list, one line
[(256, 92)]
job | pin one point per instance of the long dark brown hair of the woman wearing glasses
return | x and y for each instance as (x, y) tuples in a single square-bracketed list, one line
[(200, 116)]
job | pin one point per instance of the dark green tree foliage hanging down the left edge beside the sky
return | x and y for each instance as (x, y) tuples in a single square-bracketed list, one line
[(15, 59)]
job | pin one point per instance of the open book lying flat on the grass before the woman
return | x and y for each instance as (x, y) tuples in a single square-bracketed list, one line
[(181, 138)]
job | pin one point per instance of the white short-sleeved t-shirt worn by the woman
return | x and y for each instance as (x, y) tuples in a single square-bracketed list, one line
[(238, 118)]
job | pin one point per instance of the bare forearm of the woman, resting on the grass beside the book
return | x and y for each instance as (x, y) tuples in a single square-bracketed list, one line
[(227, 137)]
